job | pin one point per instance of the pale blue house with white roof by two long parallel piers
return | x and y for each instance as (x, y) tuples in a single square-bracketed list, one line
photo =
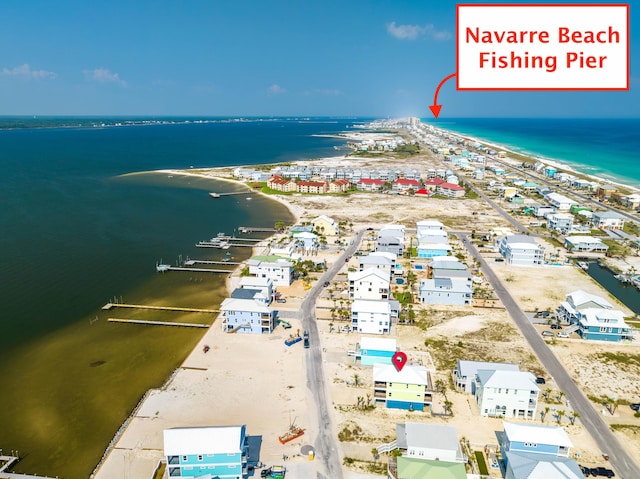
[(247, 316)]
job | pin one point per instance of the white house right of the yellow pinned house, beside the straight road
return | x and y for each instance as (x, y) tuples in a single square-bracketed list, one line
[(511, 394)]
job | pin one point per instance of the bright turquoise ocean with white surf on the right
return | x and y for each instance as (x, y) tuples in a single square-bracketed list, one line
[(607, 148)]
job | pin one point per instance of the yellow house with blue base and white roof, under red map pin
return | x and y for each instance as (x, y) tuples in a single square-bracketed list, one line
[(410, 388)]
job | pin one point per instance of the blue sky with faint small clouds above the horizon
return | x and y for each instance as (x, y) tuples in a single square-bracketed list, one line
[(258, 58)]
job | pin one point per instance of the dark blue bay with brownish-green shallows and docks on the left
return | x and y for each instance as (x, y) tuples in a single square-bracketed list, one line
[(77, 229)]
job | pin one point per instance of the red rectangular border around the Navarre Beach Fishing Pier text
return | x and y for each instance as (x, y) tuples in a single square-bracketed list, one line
[(500, 5)]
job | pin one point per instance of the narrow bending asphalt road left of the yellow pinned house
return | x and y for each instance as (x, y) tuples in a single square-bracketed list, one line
[(326, 447)]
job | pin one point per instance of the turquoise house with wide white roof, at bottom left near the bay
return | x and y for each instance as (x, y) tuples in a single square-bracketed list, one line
[(213, 451)]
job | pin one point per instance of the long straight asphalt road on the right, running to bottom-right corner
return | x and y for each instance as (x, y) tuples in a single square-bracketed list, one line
[(623, 464)]
